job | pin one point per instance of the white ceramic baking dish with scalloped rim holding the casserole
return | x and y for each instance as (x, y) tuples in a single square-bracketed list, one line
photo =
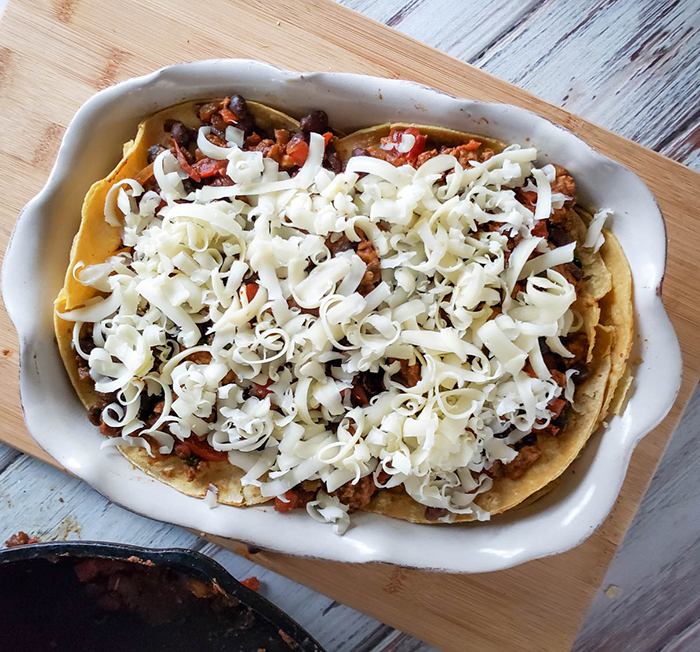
[(38, 255)]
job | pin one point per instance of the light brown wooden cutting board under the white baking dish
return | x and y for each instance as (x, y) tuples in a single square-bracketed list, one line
[(54, 54)]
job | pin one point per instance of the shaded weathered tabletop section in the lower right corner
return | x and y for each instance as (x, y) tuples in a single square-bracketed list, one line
[(656, 574)]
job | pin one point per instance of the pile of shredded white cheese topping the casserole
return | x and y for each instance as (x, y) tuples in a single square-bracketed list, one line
[(444, 301)]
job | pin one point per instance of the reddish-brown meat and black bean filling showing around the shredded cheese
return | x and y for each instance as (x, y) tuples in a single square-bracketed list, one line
[(289, 151)]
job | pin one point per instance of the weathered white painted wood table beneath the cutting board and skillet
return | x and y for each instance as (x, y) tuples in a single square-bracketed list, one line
[(632, 66)]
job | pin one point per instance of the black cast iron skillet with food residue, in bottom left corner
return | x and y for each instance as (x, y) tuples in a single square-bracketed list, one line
[(98, 597)]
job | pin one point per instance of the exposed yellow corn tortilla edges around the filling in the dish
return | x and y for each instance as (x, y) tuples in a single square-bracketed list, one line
[(604, 304)]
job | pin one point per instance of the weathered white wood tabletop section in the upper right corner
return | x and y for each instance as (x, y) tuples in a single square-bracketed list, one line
[(629, 66)]
